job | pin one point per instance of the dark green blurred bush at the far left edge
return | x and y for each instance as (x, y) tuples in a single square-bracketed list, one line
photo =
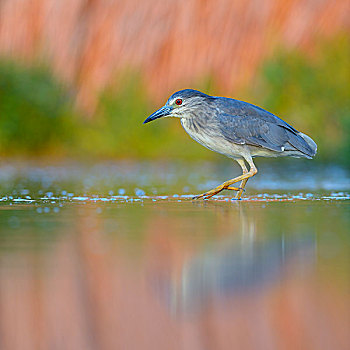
[(34, 111)]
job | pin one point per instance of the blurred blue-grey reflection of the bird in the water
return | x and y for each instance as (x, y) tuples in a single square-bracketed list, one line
[(238, 265)]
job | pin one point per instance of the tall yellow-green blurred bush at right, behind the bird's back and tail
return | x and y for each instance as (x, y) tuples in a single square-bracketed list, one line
[(312, 93)]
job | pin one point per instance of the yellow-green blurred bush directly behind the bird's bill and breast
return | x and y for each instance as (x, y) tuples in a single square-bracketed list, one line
[(117, 130)]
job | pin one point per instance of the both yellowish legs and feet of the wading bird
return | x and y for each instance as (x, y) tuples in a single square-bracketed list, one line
[(227, 184)]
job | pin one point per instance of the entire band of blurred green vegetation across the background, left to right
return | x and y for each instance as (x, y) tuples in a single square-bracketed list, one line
[(37, 115)]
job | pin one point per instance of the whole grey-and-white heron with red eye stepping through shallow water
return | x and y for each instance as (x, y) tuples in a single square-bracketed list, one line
[(236, 129)]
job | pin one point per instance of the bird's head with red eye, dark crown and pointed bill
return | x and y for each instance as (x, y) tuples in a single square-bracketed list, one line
[(181, 104)]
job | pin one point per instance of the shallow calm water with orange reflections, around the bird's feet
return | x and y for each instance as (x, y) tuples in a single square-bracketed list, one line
[(103, 257)]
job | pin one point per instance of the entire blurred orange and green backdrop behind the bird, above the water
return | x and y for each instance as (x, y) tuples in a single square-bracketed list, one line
[(78, 77)]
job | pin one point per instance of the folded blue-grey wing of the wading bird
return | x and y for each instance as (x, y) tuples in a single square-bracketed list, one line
[(244, 123)]
